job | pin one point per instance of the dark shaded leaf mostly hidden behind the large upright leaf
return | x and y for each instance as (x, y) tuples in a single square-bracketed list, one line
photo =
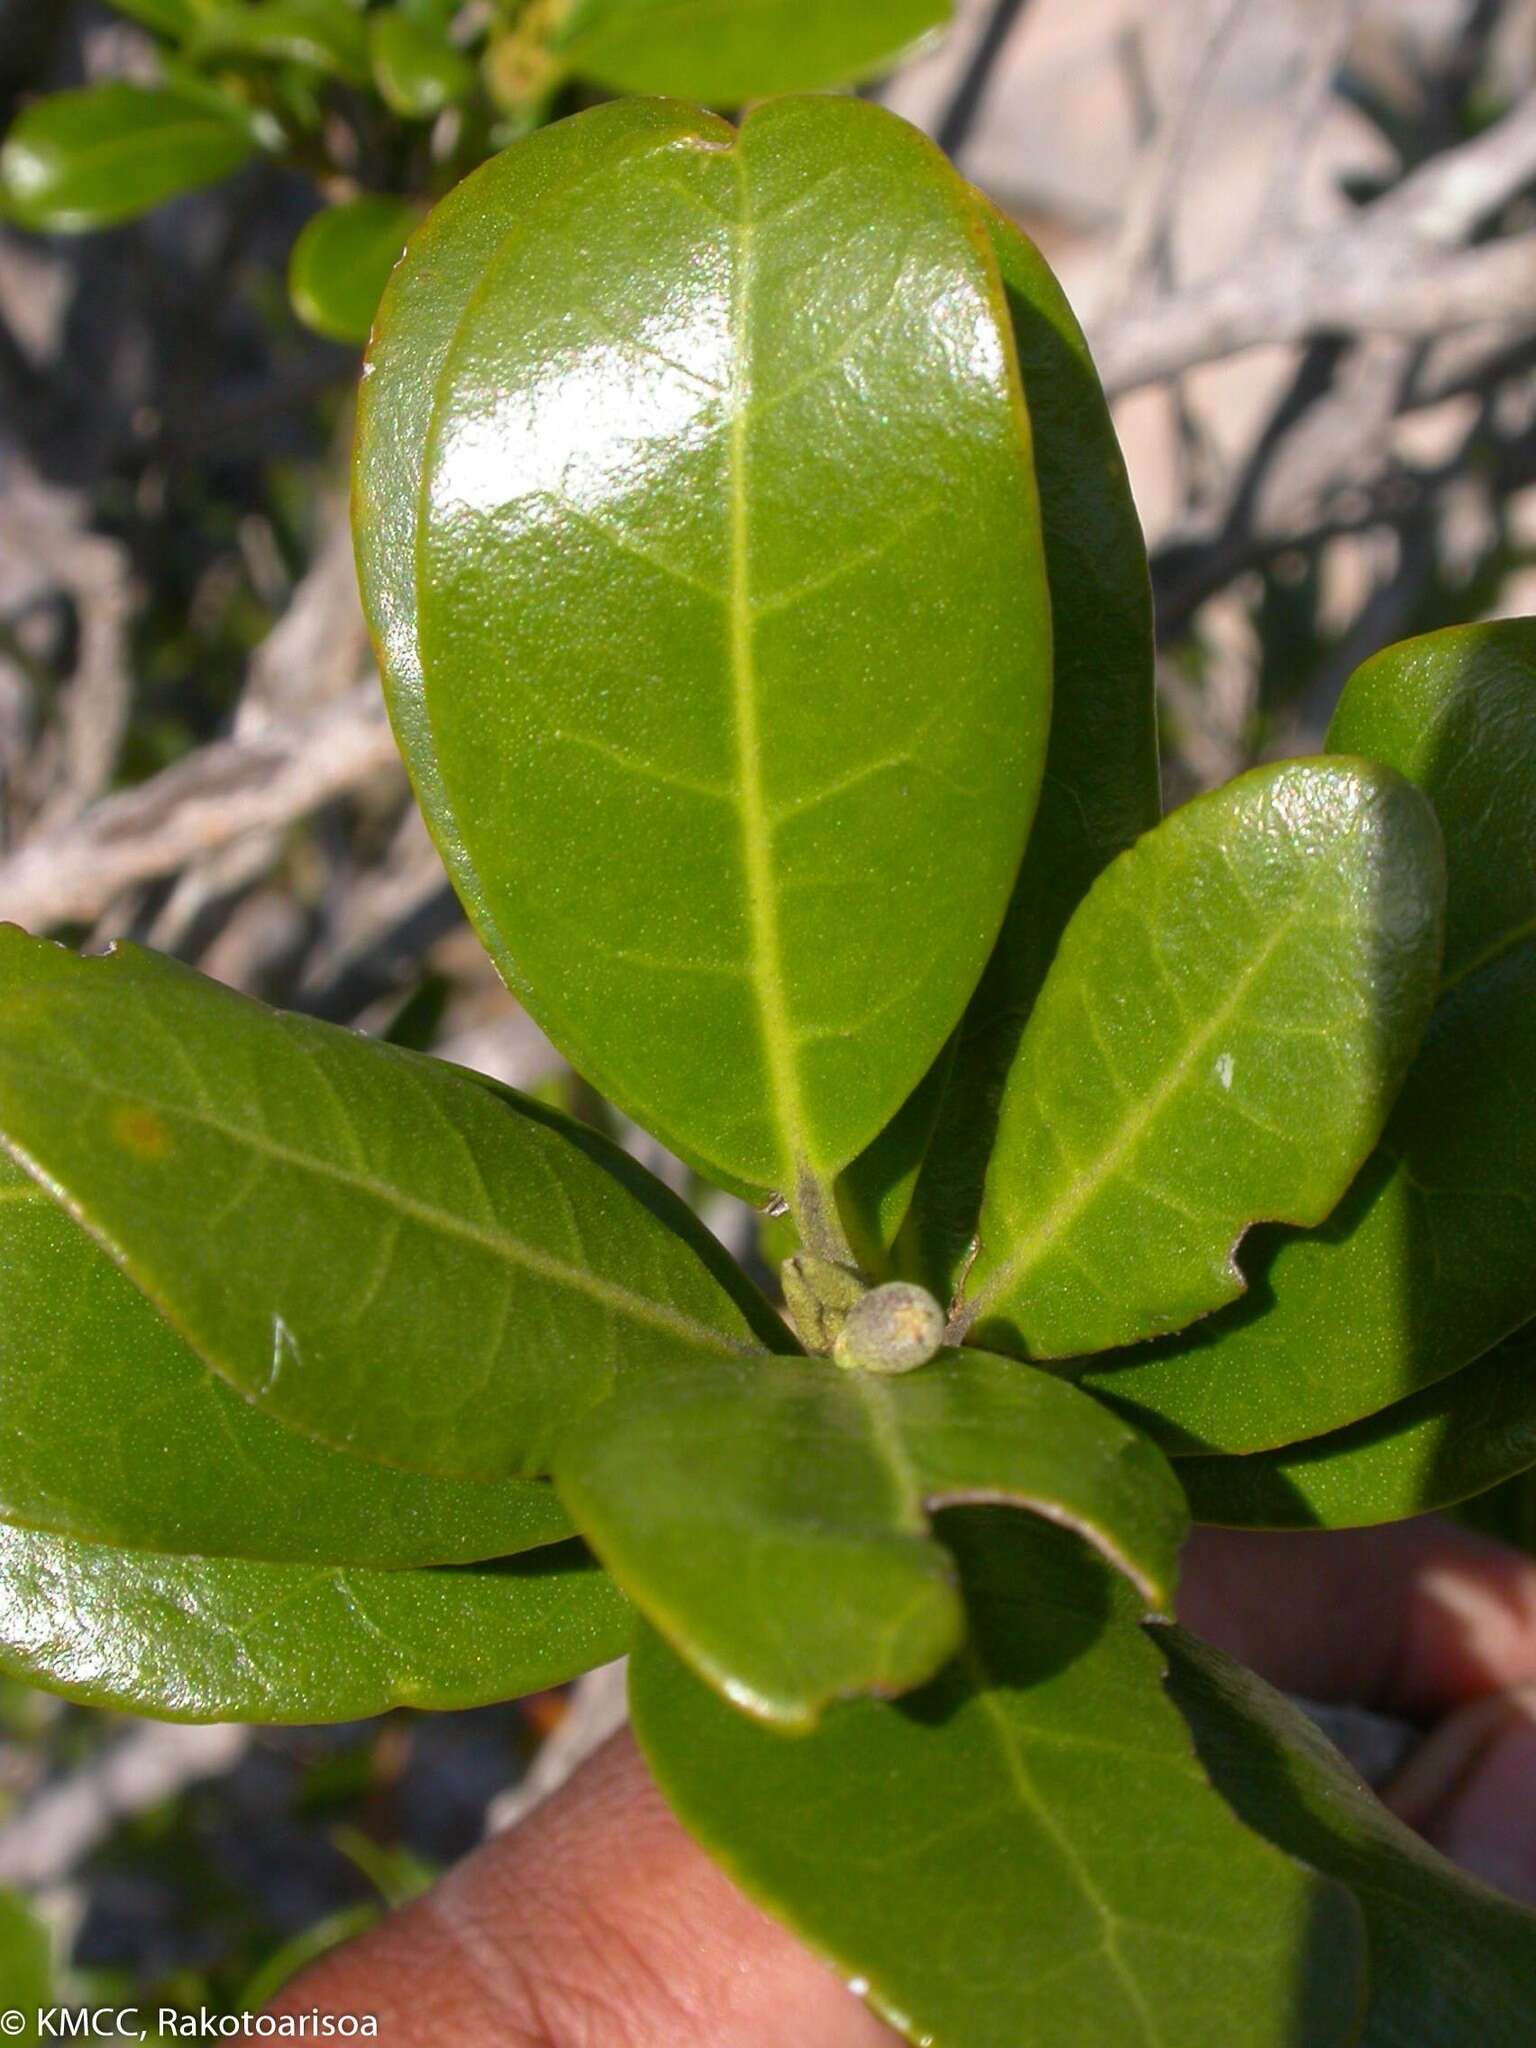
[(1101, 785)]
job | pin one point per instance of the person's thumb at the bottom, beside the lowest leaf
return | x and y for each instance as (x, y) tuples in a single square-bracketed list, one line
[(597, 1922)]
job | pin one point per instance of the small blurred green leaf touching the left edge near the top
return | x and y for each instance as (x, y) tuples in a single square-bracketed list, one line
[(112, 153)]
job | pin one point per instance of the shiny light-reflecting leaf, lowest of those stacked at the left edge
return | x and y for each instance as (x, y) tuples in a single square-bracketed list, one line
[(222, 1639)]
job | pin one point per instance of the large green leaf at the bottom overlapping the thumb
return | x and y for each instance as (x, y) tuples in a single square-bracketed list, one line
[(1027, 1854)]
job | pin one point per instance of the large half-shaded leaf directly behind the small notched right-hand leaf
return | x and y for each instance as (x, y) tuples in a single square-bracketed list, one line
[(1433, 1256)]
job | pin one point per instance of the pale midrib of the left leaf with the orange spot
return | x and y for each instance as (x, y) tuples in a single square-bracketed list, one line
[(501, 1244)]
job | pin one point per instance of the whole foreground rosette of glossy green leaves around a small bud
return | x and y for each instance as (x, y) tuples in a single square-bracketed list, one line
[(767, 632)]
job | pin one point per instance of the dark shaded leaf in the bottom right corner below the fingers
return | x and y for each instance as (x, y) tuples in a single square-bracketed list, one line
[(1451, 1961)]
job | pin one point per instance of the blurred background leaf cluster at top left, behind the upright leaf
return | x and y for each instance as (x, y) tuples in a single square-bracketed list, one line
[(286, 79)]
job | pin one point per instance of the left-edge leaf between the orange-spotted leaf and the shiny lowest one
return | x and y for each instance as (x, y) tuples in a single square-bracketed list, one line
[(112, 1431)]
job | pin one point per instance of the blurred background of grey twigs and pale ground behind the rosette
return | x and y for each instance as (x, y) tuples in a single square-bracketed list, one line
[(1304, 243)]
